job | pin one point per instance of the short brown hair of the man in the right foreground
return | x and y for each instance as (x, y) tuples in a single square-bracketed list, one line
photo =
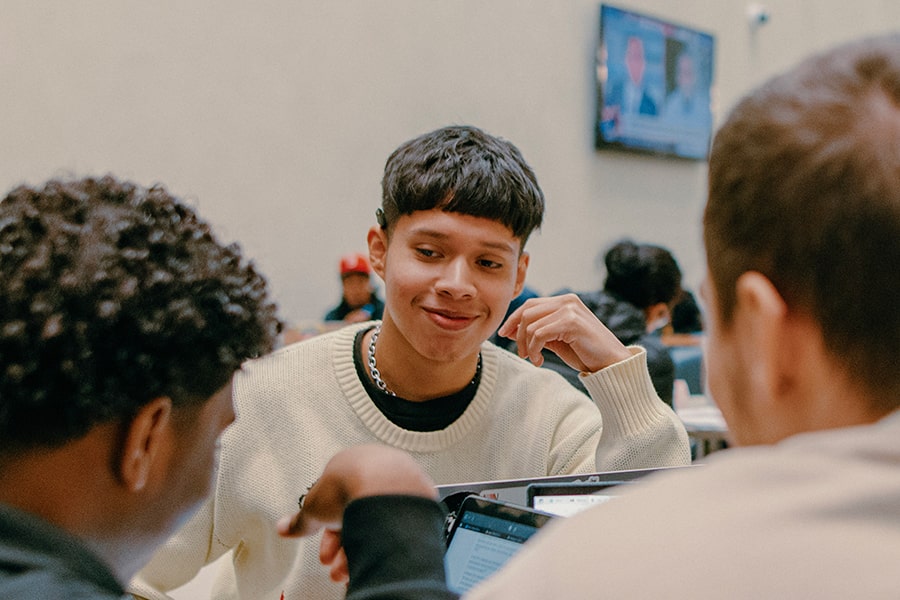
[(804, 187)]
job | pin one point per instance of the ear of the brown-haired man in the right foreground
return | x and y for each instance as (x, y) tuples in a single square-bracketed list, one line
[(764, 332)]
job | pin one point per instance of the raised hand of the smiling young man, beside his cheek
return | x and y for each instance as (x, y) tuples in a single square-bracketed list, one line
[(564, 325)]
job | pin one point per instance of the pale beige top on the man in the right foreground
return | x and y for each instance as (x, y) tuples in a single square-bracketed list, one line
[(814, 516)]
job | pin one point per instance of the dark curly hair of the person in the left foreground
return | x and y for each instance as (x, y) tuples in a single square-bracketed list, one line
[(113, 295)]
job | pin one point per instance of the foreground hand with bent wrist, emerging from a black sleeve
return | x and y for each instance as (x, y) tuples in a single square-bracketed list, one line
[(353, 473)]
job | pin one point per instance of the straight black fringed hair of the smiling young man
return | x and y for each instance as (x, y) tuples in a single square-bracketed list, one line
[(463, 170)]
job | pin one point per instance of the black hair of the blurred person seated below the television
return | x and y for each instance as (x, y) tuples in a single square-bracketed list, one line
[(642, 274)]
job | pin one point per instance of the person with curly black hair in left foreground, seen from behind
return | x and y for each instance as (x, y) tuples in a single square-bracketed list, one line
[(122, 321)]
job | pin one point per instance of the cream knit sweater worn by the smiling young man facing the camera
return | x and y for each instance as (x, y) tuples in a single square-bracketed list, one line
[(301, 404)]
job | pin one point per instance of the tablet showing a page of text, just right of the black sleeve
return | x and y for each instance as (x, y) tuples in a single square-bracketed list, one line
[(486, 533)]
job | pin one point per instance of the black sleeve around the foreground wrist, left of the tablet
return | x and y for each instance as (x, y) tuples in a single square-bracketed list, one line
[(395, 549)]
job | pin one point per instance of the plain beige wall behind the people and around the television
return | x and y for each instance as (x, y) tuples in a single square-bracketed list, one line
[(276, 116)]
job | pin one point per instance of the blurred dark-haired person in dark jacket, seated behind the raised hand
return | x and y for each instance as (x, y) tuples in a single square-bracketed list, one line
[(642, 281)]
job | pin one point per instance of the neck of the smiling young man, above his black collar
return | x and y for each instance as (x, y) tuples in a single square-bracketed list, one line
[(412, 376)]
